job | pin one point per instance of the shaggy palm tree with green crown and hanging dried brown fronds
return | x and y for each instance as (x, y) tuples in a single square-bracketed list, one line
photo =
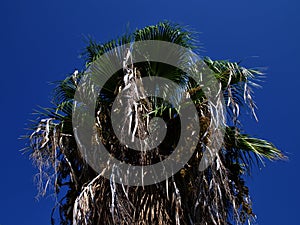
[(216, 195)]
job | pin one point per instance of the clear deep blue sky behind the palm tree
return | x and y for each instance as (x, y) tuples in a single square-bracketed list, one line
[(40, 42)]
